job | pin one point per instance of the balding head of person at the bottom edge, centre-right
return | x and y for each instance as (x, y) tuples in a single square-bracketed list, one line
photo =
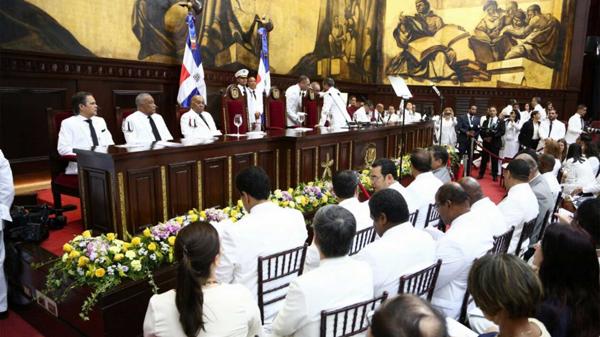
[(407, 315)]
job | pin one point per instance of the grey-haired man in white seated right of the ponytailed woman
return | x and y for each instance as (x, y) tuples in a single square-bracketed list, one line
[(338, 282)]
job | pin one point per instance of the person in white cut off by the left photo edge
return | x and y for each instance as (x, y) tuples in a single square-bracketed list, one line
[(7, 194)]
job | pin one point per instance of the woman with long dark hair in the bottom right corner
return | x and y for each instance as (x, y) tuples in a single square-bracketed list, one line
[(569, 271)]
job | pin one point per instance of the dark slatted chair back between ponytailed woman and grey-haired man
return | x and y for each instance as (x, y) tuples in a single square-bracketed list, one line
[(276, 270)]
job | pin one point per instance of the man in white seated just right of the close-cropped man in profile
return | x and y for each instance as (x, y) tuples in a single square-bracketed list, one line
[(483, 206)]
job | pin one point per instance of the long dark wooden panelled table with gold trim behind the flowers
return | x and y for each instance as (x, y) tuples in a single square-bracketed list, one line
[(124, 189)]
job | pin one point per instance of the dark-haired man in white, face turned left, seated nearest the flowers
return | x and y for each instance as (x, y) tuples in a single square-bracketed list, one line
[(384, 174)]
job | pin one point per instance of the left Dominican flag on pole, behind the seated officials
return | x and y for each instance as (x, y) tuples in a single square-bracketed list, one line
[(191, 80)]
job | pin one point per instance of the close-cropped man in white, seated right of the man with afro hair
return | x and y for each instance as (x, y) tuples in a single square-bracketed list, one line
[(467, 239)]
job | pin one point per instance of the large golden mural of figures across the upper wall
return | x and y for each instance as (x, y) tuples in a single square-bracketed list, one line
[(451, 42)]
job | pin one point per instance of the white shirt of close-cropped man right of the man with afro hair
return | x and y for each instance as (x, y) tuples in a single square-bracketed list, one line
[(467, 239)]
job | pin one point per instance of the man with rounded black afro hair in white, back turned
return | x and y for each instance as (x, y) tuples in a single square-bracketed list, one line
[(401, 249)]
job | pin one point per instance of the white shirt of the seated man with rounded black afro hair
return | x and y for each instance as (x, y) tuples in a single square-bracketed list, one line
[(401, 250)]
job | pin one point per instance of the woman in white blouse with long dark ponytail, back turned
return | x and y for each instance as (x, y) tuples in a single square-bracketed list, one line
[(200, 306)]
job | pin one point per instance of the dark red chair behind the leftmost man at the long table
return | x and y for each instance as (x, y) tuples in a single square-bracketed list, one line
[(60, 182)]
